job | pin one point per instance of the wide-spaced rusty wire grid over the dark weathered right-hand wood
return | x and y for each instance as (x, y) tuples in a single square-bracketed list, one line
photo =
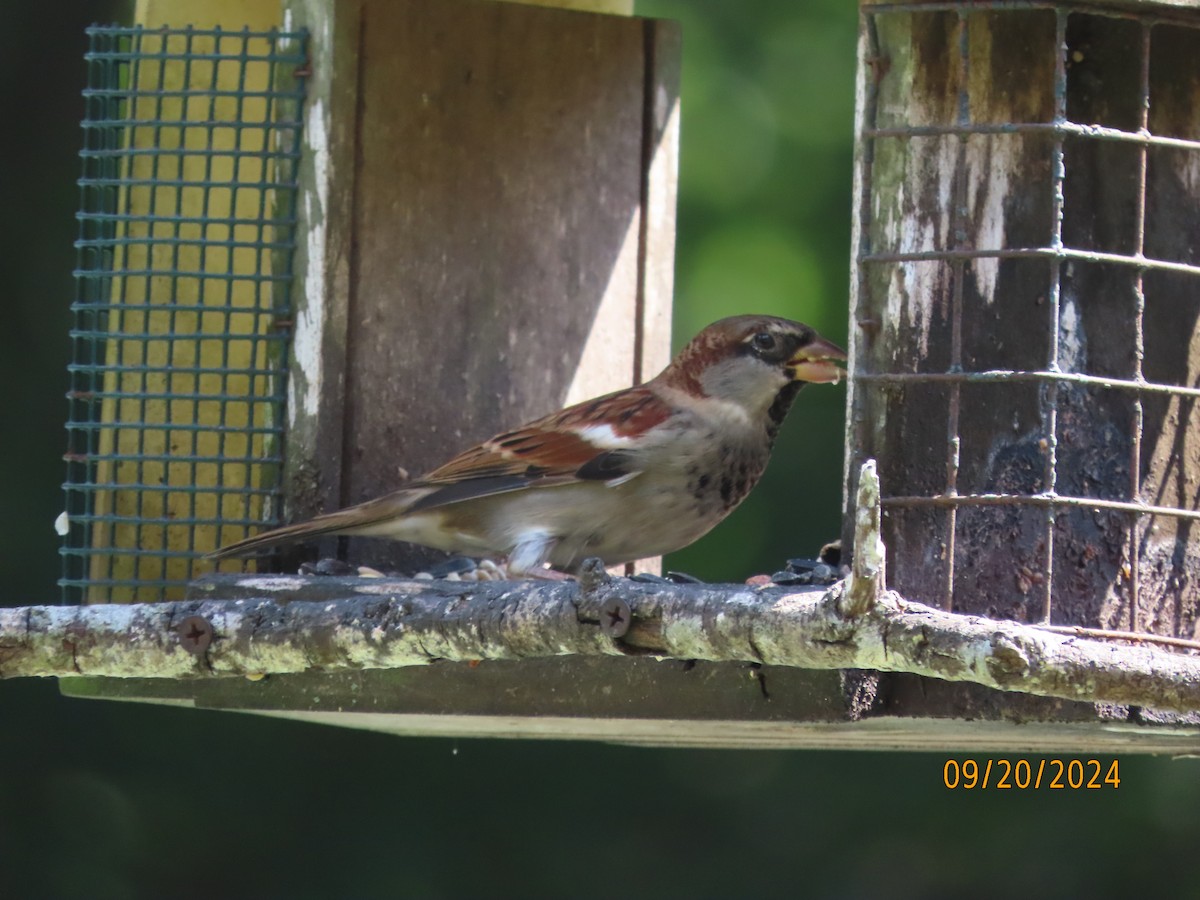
[(1054, 376)]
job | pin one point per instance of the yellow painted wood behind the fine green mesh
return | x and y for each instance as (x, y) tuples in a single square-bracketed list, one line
[(133, 421)]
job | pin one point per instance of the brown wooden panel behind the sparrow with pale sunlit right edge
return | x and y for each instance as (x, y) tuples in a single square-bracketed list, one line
[(482, 254)]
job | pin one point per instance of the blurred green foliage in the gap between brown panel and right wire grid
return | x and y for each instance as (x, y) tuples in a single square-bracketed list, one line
[(766, 166)]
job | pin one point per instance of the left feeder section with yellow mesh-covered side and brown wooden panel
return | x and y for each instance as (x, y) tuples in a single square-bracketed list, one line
[(316, 257)]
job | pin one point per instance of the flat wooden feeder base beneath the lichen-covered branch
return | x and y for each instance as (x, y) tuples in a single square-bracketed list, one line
[(671, 704)]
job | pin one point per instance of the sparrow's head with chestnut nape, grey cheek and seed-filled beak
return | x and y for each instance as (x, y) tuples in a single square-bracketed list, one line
[(758, 362)]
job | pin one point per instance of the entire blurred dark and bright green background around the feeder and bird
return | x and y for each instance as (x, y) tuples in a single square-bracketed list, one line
[(107, 801)]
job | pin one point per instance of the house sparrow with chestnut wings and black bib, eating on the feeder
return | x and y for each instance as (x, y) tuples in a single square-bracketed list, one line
[(633, 475)]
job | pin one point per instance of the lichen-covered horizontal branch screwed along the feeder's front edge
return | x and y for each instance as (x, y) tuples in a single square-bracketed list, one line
[(295, 625)]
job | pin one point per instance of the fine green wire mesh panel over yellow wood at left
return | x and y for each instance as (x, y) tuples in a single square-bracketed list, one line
[(191, 141)]
